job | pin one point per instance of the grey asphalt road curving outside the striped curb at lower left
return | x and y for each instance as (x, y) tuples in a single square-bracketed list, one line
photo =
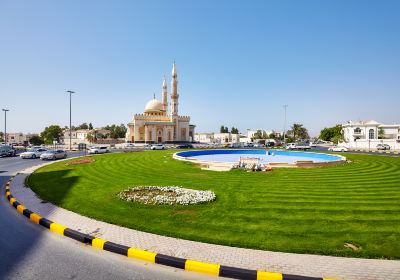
[(29, 251)]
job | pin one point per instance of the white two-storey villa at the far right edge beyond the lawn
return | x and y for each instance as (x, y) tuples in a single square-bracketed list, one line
[(368, 134)]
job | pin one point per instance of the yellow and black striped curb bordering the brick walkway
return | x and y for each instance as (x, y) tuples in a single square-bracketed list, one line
[(191, 265)]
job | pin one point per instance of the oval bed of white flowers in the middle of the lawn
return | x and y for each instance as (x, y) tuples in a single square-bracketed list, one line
[(169, 195)]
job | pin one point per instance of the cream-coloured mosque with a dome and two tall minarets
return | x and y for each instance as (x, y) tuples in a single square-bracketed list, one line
[(160, 123)]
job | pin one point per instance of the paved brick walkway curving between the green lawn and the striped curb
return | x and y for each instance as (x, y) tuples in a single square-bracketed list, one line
[(300, 264)]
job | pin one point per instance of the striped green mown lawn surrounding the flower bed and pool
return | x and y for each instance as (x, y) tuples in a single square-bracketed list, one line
[(292, 210)]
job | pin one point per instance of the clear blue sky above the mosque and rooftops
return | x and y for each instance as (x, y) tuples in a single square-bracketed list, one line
[(238, 62)]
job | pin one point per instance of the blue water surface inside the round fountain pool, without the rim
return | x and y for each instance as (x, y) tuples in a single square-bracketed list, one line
[(265, 156)]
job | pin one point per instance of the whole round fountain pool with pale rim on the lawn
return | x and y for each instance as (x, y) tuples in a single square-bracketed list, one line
[(279, 158)]
